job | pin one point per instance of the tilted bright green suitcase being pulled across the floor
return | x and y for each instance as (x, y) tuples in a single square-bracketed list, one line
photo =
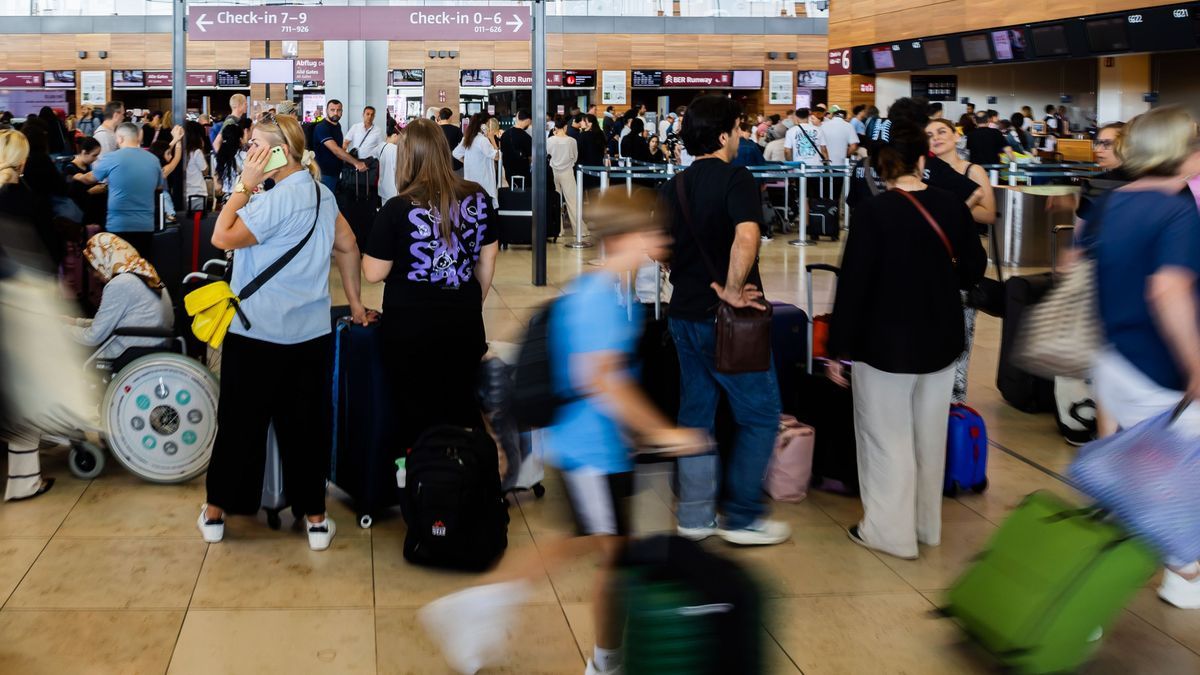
[(1049, 586)]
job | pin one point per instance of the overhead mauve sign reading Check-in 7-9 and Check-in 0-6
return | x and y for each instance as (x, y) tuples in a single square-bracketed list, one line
[(303, 22)]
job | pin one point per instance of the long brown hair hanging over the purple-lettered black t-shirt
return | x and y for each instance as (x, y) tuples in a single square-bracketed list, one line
[(424, 175)]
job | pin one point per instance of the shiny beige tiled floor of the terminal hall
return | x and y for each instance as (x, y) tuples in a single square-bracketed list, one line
[(111, 577)]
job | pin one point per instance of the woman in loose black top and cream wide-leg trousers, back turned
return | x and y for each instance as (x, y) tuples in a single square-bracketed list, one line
[(899, 318)]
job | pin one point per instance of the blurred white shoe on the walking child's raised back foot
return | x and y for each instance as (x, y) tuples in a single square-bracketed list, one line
[(470, 626)]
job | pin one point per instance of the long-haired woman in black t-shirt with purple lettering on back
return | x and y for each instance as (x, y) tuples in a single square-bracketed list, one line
[(435, 248)]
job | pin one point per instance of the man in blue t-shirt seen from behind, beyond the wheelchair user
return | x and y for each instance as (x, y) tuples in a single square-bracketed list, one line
[(134, 177)]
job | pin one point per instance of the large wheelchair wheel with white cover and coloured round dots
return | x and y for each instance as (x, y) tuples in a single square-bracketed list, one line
[(161, 417)]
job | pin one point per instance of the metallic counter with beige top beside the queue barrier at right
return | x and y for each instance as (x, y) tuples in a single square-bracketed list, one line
[(1028, 216)]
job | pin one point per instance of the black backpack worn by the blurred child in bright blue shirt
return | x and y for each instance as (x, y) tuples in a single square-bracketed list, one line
[(535, 398)]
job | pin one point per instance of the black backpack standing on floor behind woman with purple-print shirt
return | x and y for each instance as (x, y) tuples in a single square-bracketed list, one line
[(455, 512)]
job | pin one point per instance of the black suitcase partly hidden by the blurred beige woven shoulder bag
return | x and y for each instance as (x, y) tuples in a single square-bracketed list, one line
[(1022, 390)]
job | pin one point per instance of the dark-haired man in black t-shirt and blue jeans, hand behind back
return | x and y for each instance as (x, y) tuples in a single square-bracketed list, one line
[(716, 223)]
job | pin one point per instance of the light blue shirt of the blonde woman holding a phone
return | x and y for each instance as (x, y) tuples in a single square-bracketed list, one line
[(293, 307)]
